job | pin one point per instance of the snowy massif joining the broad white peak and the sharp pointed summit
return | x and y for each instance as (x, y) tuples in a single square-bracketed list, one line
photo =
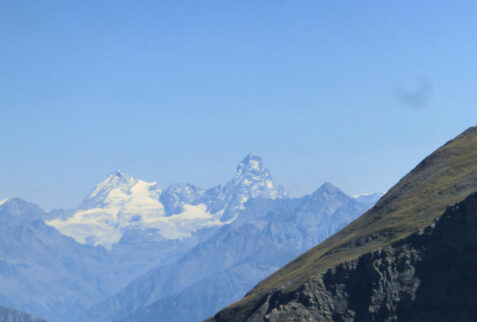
[(121, 202)]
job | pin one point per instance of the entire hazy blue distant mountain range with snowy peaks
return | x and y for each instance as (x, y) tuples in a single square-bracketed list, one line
[(133, 251)]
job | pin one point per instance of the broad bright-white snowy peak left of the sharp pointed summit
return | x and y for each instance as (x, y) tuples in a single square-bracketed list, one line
[(117, 203)]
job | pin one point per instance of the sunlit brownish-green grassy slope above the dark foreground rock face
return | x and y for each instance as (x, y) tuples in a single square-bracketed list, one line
[(445, 177)]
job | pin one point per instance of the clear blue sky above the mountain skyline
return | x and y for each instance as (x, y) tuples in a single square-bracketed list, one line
[(351, 92)]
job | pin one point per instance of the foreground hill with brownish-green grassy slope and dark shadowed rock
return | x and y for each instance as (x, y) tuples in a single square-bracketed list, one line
[(444, 178)]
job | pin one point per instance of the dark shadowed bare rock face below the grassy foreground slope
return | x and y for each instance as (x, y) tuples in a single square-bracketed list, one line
[(429, 276)]
